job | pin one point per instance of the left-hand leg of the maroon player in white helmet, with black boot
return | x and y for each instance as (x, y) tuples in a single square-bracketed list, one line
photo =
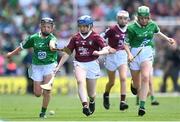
[(109, 85)]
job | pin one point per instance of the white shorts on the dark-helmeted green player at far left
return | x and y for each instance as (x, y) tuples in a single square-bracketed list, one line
[(37, 72)]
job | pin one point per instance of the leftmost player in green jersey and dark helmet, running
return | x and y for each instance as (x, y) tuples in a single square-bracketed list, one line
[(44, 59)]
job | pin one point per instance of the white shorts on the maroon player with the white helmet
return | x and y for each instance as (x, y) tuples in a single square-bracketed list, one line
[(113, 61)]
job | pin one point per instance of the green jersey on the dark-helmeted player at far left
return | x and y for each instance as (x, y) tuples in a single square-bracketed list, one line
[(42, 54)]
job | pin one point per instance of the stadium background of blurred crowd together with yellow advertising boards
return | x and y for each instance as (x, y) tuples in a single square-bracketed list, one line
[(20, 18)]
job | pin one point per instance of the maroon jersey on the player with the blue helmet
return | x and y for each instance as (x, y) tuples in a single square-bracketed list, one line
[(84, 47)]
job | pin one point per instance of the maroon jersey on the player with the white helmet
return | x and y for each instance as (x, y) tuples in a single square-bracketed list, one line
[(115, 37)]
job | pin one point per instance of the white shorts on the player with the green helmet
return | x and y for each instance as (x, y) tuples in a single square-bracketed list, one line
[(146, 54)]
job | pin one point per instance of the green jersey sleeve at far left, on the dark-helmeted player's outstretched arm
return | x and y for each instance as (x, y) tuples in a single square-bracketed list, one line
[(27, 43)]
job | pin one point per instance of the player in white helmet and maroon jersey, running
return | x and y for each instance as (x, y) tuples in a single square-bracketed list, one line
[(118, 60)]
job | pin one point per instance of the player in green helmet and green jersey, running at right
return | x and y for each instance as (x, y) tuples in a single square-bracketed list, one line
[(139, 38)]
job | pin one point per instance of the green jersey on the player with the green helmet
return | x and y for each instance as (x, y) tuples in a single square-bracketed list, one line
[(138, 36)]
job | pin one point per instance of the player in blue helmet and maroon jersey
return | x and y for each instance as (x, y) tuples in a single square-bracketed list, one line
[(86, 66)]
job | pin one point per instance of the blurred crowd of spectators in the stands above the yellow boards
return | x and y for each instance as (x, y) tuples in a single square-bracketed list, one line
[(20, 18)]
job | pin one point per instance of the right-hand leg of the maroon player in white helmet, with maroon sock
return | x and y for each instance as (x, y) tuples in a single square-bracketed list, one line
[(123, 75)]
